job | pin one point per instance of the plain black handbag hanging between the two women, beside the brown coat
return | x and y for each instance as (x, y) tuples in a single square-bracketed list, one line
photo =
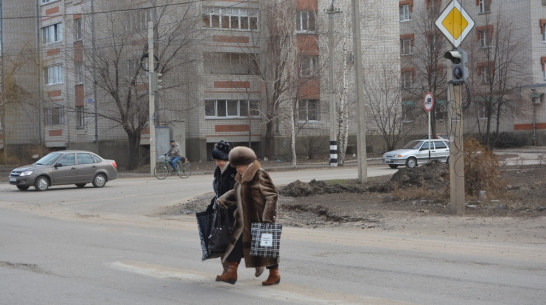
[(218, 239)]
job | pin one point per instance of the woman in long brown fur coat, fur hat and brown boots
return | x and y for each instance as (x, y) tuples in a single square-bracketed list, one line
[(255, 197)]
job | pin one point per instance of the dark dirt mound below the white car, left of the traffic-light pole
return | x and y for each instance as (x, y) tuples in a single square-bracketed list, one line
[(434, 176)]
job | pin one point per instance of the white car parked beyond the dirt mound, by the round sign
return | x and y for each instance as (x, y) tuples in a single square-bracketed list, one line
[(417, 152)]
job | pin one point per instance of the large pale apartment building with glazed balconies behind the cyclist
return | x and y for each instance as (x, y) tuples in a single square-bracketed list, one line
[(218, 61)]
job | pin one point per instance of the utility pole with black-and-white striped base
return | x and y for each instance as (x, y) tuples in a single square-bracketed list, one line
[(333, 123)]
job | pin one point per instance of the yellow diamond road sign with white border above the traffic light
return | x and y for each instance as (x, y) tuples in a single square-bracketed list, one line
[(455, 23)]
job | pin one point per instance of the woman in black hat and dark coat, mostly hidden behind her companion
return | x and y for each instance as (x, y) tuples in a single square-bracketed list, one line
[(224, 180)]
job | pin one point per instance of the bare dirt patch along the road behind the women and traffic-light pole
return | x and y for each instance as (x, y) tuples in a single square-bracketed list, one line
[(374, 204)]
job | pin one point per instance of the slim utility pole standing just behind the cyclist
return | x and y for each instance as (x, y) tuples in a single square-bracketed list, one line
[(151, 95)]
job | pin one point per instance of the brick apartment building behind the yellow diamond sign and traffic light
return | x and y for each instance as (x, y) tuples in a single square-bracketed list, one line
[(505, 60)]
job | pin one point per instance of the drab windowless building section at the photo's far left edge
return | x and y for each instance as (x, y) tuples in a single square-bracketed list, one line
[(19, 117)]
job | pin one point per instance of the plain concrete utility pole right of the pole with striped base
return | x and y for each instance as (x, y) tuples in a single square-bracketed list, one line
[(361, 109)]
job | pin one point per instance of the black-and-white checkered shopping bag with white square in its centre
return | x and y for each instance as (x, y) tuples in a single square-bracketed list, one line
[(266, 239)]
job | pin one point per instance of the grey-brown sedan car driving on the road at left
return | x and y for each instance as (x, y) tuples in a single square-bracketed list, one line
[(65, 167)]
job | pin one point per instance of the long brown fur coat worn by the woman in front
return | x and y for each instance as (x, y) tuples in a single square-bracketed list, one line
[(256, 198)]
